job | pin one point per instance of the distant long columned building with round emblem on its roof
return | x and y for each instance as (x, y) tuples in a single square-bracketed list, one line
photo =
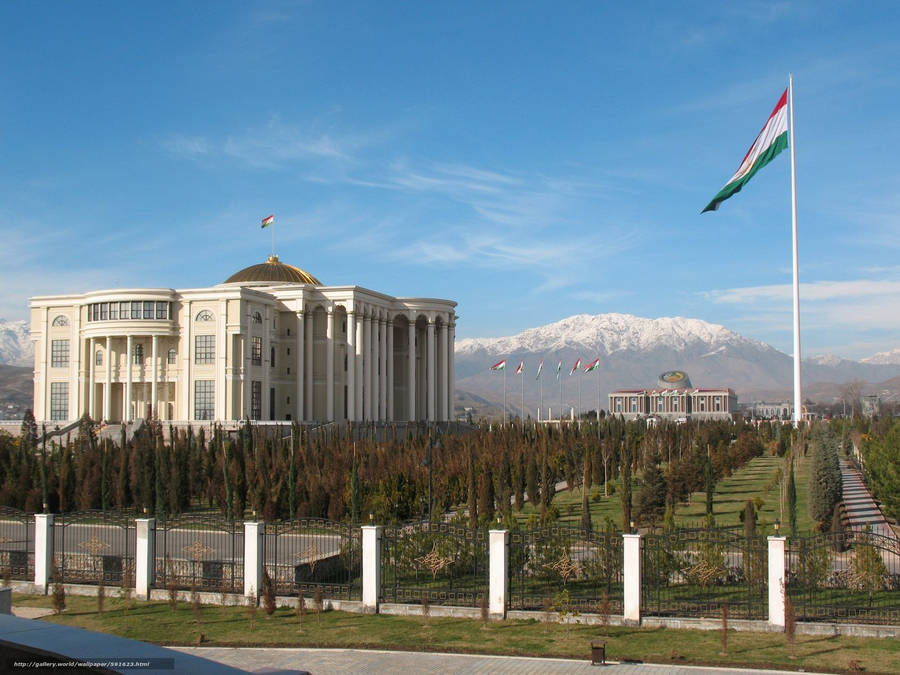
[(674, 398)]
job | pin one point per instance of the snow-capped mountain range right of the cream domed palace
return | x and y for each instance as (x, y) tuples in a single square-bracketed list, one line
[(633, 351)]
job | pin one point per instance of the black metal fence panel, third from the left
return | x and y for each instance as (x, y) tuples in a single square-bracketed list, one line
[(200, 551)]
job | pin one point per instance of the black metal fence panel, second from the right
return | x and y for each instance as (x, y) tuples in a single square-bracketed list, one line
[(694, 572)]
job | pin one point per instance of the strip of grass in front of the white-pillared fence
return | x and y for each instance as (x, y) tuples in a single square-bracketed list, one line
[(232, 626)]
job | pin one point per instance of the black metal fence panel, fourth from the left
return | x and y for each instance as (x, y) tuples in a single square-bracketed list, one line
[(311, 553)]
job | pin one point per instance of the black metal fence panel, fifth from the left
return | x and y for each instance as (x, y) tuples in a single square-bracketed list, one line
[(445, 564)]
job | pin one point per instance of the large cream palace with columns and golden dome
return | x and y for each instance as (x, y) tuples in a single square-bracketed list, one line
[(270, 343)]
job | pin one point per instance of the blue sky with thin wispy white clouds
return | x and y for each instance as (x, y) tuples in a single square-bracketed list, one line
[(531, 160)]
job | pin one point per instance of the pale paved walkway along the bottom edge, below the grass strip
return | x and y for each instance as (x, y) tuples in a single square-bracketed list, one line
[(372, 662)]
